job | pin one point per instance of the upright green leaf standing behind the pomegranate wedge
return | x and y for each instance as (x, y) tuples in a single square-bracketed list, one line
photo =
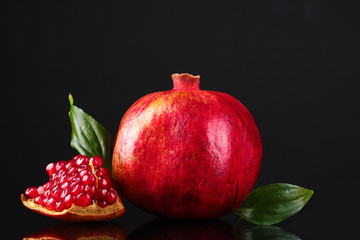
[(88, 136)]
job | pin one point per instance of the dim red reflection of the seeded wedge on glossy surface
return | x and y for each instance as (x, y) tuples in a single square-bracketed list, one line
[(101, 230)]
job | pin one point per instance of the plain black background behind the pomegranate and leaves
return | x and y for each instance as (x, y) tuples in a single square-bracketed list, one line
[(294, 64)]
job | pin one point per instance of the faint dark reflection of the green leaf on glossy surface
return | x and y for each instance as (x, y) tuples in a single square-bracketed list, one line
[(266, 233)]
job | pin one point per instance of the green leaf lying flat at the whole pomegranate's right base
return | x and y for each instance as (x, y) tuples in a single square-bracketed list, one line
[(273, 203)]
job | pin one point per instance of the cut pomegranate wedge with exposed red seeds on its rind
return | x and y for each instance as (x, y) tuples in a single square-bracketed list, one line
[(79, 190)]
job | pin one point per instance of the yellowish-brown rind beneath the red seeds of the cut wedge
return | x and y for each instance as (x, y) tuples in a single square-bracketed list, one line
[(75, 213)]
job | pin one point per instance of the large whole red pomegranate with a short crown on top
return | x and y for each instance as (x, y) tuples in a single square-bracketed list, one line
[(187, 153)]
